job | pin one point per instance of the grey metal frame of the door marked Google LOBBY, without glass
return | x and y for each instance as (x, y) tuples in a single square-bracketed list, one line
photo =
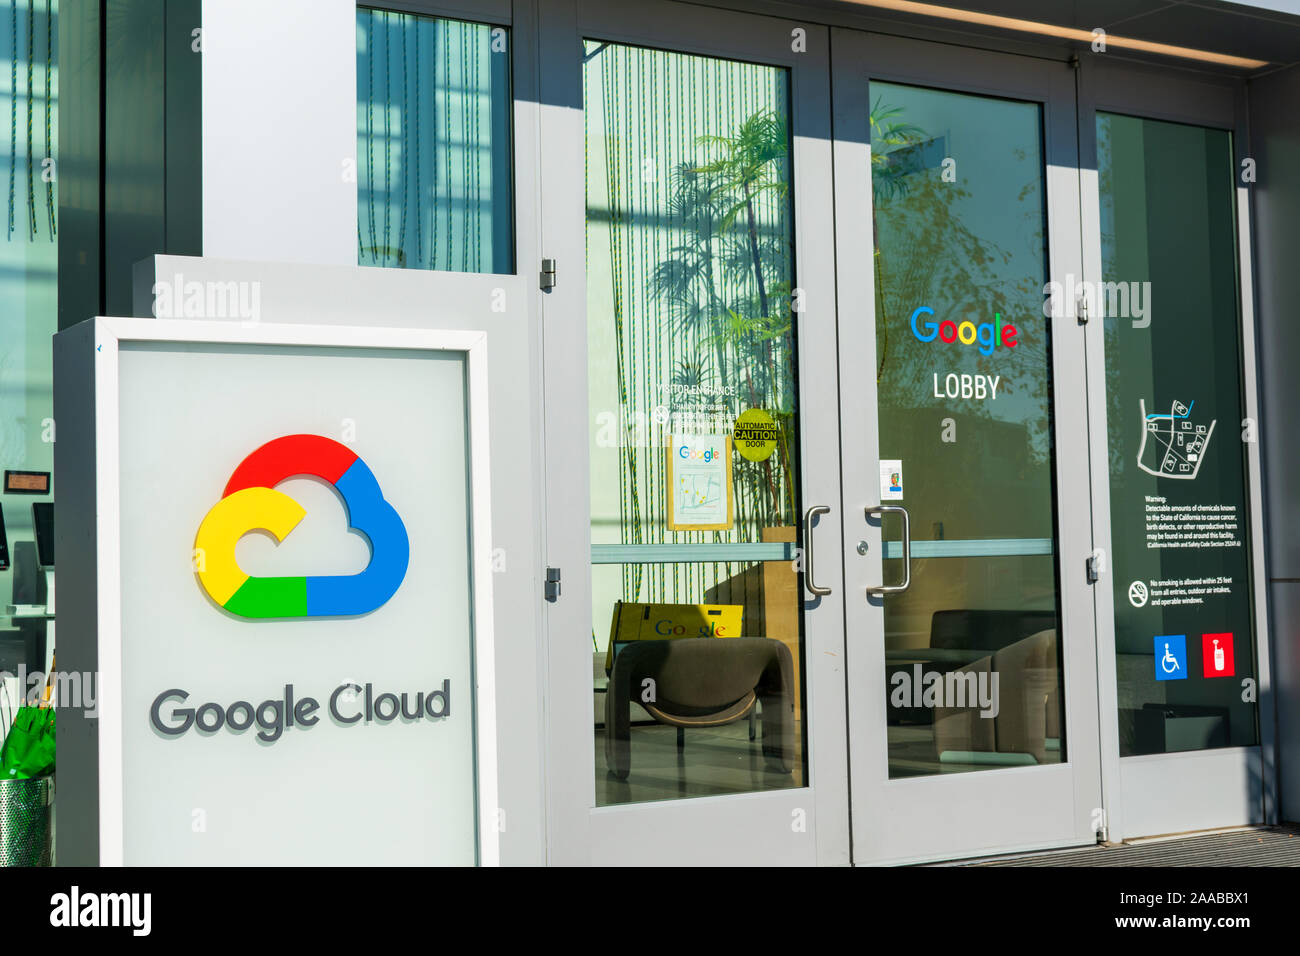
[(978, 812)]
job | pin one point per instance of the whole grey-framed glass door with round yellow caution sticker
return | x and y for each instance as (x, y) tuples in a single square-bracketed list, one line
[(696, 635)]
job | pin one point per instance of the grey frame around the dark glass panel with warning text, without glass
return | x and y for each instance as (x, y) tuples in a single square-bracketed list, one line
[(1197, 790)]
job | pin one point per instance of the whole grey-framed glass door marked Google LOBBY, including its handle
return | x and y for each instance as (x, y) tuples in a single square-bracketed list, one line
[(972, 655)]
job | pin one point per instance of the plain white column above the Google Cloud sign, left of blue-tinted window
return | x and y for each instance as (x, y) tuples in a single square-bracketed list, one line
[(280, 131)]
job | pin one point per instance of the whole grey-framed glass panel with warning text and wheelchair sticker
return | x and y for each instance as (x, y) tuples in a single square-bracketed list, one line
[(1172, 361)]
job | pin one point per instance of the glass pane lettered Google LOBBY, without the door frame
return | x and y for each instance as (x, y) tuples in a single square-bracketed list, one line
[(965, 383)]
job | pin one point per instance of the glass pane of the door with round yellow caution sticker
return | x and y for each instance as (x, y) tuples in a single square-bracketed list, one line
[(690, 332)]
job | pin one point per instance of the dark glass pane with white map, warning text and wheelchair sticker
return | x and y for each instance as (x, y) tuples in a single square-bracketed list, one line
[(1185, 634)]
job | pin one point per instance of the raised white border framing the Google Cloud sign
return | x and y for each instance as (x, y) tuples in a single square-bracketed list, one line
[(109, 334)]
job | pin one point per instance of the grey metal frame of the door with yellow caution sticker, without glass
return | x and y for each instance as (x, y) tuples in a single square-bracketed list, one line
[(805, 825)]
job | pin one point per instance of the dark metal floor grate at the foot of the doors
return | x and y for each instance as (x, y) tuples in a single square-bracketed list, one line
[(1279, 846)]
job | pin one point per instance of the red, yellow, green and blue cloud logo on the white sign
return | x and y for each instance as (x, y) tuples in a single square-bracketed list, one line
[(253, 504)]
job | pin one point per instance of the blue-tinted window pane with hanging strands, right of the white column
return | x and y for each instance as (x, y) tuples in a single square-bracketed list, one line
[(434, 148)]
